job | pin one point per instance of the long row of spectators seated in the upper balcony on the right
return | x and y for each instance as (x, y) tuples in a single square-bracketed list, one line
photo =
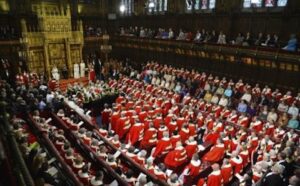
[(205, 36)]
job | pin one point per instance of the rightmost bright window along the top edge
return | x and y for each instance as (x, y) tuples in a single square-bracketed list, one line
[(264, 3)]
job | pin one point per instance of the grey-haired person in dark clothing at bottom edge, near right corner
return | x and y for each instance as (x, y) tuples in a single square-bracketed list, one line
[(274, 178)]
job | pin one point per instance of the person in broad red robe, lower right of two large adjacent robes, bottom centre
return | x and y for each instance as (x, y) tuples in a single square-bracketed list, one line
[(176, 157)]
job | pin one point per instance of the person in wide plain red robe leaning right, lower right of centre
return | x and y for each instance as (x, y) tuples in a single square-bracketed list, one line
[(216, 153)]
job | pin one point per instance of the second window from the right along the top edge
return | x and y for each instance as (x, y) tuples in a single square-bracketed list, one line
[(200, 5)]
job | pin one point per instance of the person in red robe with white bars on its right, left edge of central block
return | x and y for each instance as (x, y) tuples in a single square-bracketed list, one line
[(135, 133)]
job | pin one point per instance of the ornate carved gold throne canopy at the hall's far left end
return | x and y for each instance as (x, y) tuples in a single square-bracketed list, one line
[(54, 43)]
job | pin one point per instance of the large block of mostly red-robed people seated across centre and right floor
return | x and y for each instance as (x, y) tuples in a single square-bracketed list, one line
[(244, 128)]
